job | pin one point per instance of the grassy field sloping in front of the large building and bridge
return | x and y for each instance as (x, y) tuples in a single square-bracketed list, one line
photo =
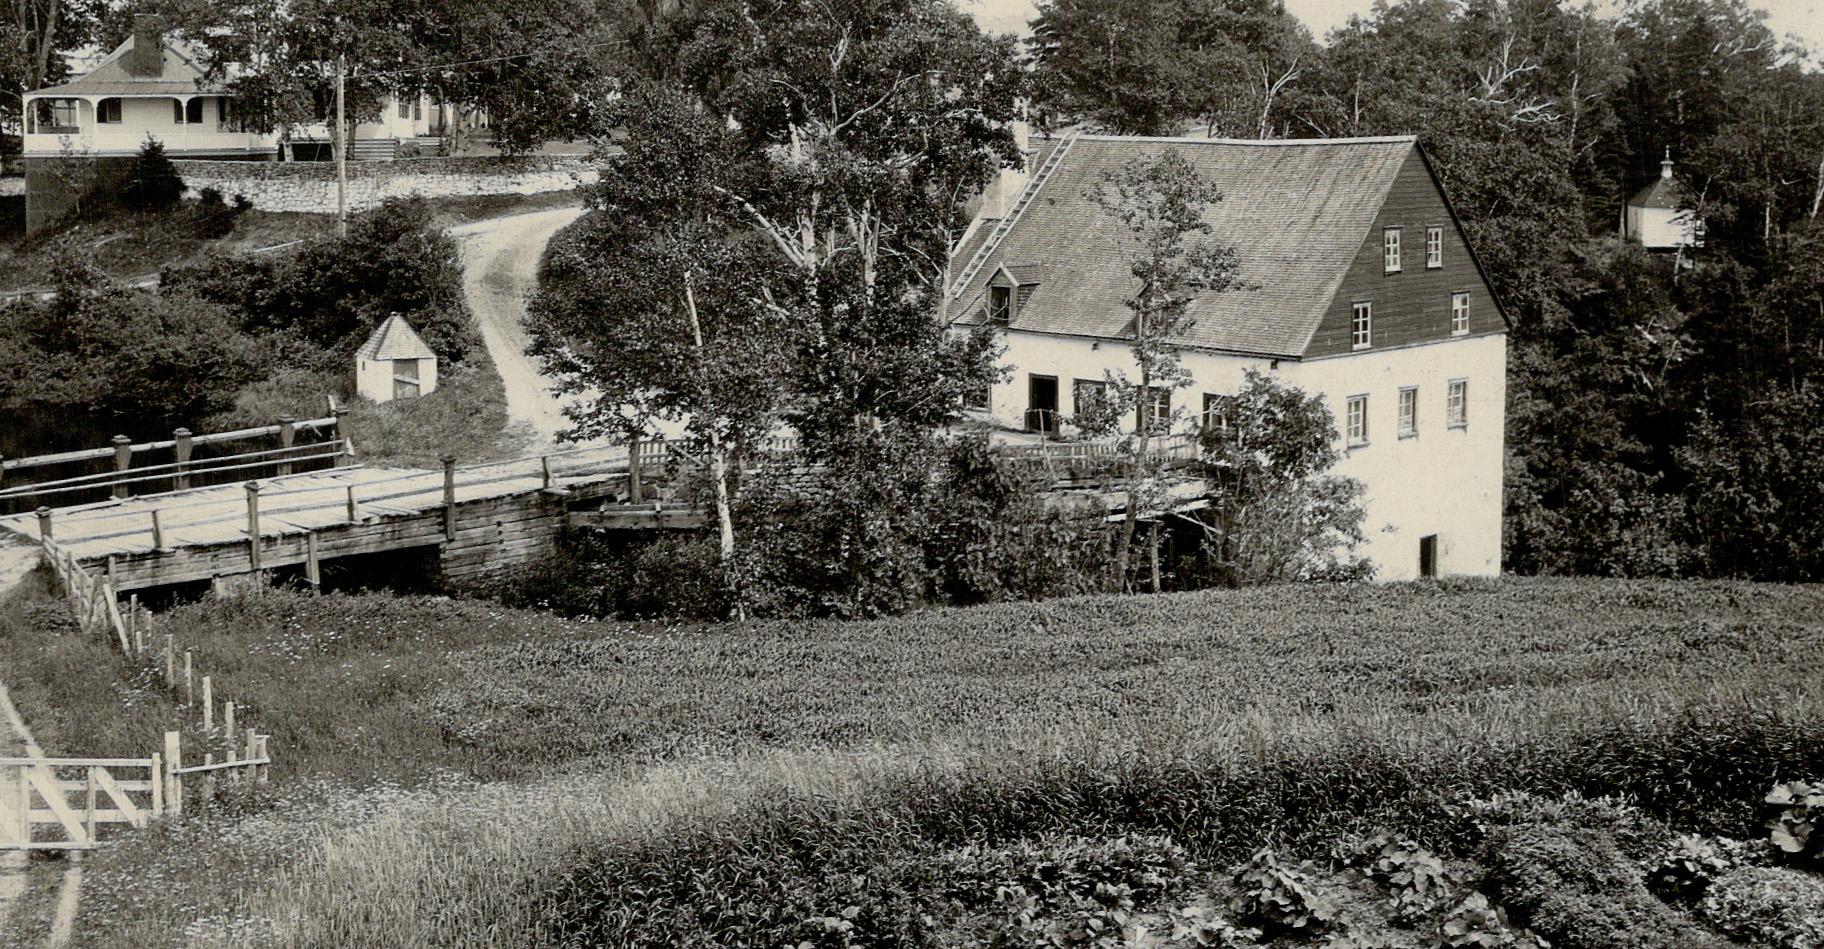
[(461, 767)]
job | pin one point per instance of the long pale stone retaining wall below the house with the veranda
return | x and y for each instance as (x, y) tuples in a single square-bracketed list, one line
[(311, 187)]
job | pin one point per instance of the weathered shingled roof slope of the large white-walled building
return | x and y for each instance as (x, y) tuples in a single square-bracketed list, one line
[(1296, 213)]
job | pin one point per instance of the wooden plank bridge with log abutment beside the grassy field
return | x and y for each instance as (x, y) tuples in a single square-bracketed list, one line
[(475, 519)]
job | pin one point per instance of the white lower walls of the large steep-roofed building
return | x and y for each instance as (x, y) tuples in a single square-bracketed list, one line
[(1442, 481)]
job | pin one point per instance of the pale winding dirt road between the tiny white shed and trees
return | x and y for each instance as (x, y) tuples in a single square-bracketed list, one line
[(501, 269)]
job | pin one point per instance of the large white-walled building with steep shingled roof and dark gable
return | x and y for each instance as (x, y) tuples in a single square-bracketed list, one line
[(1356, 284)]
